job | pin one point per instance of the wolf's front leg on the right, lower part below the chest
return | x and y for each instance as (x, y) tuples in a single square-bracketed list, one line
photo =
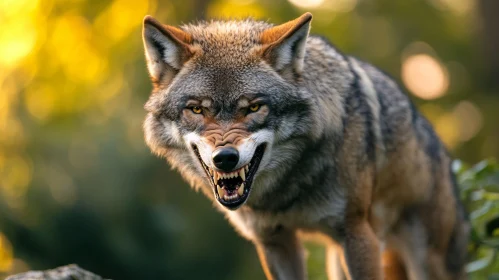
[(362, 252)]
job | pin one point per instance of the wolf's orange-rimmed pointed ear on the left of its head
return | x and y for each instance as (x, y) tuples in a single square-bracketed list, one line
[(167, 48)]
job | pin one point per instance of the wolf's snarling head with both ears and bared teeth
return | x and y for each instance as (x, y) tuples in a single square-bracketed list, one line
[(227, 99)]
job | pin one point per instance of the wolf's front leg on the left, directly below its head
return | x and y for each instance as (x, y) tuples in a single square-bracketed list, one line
[(281, 255)]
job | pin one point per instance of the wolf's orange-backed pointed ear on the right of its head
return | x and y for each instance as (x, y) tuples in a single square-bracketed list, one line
[(284, 45)]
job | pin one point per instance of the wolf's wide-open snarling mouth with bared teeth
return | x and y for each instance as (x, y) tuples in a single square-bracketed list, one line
[(232, 189)]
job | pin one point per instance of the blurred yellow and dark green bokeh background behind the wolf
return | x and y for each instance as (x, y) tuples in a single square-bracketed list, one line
[(77, 183)]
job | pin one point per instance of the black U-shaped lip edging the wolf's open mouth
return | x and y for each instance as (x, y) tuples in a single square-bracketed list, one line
[(255, 163)]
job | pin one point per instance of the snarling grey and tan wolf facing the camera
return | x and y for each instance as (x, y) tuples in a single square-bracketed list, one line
[(291, 138)]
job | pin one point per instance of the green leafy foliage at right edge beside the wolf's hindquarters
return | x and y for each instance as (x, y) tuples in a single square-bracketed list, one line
[(479, 190)]
